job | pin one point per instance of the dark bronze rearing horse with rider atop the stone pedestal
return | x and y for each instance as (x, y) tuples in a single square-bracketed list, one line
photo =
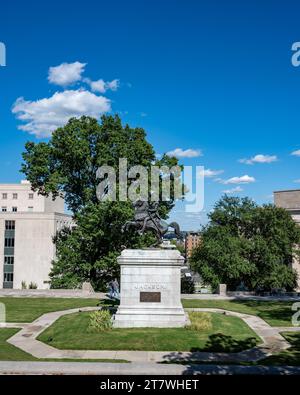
[(146, 218)]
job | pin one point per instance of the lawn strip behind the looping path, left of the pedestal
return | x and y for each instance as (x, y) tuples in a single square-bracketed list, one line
[(28, 309)]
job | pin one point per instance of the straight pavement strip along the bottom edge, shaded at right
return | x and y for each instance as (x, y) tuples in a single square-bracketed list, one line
[(132, 369)]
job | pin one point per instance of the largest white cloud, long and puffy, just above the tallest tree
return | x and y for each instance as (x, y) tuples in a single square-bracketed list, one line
[(43, 116)]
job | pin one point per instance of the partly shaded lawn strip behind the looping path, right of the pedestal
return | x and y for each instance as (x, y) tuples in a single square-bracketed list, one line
[(276, 313)]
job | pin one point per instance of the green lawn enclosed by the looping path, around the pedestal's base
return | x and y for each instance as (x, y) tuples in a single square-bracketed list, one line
[(228, 334)]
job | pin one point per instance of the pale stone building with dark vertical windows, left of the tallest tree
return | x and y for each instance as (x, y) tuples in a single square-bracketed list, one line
[(28, 222)]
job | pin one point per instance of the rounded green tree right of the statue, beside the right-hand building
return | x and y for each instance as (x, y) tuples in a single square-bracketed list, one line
[(244, 242)]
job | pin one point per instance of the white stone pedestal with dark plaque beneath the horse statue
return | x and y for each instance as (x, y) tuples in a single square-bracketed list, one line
[(150, 289)]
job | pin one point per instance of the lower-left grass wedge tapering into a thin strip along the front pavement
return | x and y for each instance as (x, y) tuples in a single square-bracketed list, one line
[(9, 352)]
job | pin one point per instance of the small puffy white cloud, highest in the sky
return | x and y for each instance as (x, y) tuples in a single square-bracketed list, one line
[(66, 73)]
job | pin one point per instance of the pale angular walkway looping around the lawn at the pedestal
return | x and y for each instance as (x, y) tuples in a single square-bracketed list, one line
[(25, 339)]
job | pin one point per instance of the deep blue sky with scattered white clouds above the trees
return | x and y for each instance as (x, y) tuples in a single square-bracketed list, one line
[(212, 77)]
